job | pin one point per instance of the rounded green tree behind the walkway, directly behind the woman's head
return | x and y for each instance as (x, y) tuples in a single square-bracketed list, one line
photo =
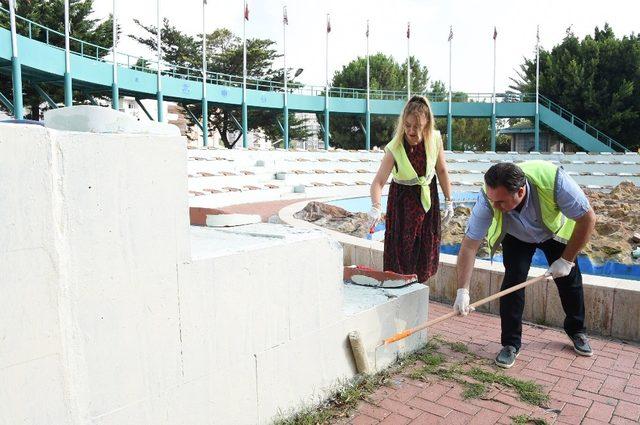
[(347, 131)]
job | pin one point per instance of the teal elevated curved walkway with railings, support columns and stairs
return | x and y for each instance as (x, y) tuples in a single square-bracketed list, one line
[(41, 59)]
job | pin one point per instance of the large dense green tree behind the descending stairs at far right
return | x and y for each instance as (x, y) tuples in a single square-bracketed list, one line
[(597, 79)]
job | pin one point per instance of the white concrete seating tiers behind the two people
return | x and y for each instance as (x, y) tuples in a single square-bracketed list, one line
[(222, 177)]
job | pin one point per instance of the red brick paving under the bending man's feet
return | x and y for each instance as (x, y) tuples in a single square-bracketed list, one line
[(601, 389)]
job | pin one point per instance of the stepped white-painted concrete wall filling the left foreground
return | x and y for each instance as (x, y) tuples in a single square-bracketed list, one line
[(114, 311)]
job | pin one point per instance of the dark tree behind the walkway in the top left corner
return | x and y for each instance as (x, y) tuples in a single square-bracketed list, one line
[(50, 13)]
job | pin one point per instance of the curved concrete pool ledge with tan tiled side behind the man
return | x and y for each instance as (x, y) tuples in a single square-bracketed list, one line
[(611, 305)]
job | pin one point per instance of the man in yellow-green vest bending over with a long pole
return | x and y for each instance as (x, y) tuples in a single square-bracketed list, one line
[(534, 205)]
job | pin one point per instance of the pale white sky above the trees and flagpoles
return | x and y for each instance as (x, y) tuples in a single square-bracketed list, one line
[(472, 21)]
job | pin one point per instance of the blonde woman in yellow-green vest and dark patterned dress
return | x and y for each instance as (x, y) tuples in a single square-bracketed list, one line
[(414, 156)]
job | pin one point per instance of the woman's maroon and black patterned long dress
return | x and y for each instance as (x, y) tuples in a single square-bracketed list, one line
[(412, 236)]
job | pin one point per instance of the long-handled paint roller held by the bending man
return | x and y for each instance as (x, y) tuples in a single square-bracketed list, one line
[(357, 346)]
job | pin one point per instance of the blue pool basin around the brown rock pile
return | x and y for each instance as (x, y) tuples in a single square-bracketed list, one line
[(609, 268)]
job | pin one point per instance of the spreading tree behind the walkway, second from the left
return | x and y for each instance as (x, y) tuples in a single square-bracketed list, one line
[(224, 55)]
